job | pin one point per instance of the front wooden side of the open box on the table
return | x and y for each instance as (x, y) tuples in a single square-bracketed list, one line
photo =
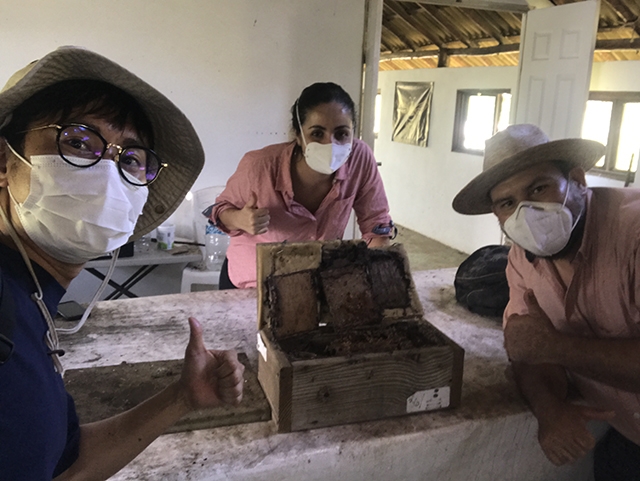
[(332, 391)]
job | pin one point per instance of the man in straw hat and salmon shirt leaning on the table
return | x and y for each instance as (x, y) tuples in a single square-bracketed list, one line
[(573, 317)]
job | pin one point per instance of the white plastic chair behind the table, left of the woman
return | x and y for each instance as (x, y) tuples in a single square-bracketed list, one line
[(202, 199)]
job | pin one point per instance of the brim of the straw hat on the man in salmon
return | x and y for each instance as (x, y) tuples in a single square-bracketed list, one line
[(475, 198)]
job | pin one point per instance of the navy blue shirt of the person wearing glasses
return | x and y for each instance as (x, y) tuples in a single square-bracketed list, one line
[(39, 431)]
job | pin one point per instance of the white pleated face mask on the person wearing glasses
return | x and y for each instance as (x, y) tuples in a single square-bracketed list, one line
[(75, 214)]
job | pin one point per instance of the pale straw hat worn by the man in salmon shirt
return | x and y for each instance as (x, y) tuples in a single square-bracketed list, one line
[(515, 149)]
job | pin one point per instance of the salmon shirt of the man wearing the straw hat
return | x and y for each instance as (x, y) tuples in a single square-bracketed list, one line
[(602, 298)]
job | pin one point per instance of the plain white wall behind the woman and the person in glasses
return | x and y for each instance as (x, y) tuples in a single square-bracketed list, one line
[(234, 67)]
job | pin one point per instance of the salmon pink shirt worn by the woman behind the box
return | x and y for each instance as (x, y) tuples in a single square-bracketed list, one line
[(267, 172)]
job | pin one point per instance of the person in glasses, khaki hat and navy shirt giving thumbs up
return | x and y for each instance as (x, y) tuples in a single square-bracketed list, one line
[(90, 157)]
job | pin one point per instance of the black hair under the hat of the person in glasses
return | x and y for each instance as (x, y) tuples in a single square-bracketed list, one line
[(66, 100)]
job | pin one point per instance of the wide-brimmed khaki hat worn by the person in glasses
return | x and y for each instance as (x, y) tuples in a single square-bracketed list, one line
[(176, 141)]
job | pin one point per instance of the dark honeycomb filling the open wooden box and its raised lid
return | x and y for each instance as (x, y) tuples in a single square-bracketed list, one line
[(323, 299)]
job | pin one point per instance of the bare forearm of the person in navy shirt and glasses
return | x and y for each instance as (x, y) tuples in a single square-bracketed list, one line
[(109, 445)]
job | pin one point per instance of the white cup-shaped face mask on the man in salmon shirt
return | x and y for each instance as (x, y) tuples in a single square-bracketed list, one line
[(542, 228)]
